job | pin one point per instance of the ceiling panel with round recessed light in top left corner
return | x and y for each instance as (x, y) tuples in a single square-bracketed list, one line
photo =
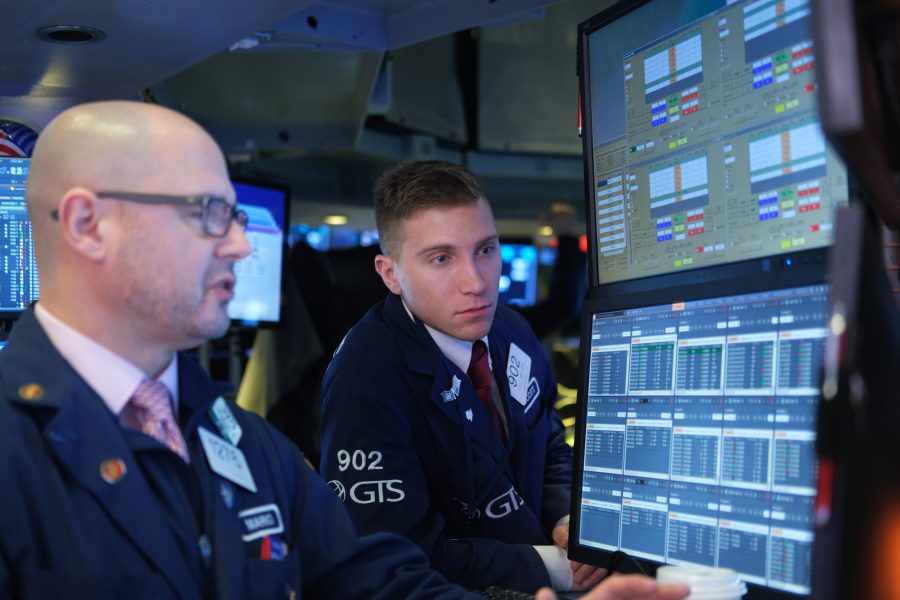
[(146, 41)]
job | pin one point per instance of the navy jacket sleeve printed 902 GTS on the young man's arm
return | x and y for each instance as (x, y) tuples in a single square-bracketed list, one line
[(370, 457)]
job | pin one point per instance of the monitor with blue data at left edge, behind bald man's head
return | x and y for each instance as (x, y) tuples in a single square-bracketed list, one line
[(19, 285)]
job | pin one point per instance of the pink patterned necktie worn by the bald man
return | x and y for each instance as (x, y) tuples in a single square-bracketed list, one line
[(150, 410)]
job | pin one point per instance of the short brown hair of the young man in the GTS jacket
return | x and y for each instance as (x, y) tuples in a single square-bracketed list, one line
[(414, 186)]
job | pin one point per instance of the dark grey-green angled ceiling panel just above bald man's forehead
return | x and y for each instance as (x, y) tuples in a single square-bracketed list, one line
[(276, 101)]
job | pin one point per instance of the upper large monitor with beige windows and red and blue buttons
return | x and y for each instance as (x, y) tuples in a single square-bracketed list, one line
[(701, 136)]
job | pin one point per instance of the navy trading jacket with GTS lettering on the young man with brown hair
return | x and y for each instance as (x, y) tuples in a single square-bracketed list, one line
[(410, 449)]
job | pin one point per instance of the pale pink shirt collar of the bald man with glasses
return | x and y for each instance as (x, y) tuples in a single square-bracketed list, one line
[(111, 376)]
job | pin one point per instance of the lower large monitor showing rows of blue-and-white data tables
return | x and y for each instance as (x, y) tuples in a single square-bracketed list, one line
[(695, 442)]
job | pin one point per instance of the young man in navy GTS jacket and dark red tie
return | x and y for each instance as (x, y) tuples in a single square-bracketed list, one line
[(482, 485)]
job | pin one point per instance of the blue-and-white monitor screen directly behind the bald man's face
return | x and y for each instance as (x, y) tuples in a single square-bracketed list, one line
[(257, 295)]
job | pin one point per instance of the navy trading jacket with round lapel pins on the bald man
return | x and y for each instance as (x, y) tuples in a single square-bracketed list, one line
[(160, 528)]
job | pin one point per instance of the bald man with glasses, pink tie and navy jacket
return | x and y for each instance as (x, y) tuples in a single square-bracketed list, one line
[(126, 472)]
